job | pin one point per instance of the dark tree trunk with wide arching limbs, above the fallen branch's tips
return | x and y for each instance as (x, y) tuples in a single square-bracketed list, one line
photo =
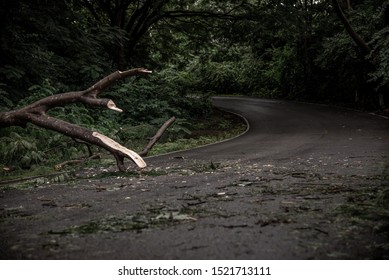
[(137, 17)]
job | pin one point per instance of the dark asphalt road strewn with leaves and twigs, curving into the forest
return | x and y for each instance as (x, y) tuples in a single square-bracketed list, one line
[(283, 190)]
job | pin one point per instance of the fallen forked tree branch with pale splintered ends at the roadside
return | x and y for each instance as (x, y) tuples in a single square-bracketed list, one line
[(36, 113)]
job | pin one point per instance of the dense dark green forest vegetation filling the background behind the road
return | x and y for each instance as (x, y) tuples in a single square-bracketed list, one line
[(295, 49)]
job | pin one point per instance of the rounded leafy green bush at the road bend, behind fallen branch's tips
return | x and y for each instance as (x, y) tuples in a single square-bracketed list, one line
[(160, 96)]
